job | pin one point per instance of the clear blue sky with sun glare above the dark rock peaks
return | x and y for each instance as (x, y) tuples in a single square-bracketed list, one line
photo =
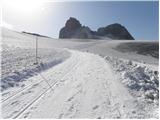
[(140, 18)]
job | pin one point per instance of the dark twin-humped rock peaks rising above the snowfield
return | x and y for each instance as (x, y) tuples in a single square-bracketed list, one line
[(73, 29)]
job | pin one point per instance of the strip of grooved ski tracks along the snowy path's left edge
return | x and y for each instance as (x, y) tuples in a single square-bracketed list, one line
[(37, 87)]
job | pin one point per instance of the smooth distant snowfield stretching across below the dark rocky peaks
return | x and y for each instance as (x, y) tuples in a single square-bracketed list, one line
[(101, 47)]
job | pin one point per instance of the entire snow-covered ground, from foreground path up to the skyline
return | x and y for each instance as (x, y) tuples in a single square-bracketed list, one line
[(71, 81)]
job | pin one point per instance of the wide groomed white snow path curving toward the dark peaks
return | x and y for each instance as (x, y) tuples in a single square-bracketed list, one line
[(83, 86)]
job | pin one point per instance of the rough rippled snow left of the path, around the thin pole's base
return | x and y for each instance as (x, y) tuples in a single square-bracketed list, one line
[(19, 64)]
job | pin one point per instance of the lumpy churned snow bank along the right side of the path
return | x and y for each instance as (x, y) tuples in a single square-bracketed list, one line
[(142, 81)]
